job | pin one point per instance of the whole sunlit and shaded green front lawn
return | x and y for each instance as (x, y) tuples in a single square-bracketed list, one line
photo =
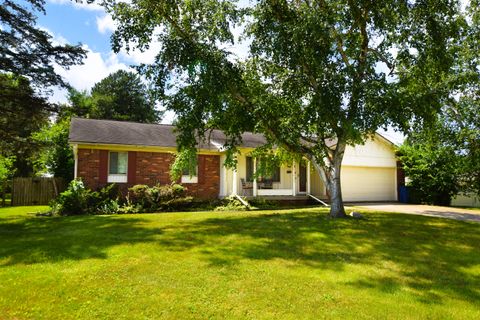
[(280, 264)]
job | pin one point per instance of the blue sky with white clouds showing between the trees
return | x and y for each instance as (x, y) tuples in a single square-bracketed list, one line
[(71, 22)]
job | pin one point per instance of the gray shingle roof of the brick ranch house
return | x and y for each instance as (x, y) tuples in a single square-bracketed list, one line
[(141, 134)]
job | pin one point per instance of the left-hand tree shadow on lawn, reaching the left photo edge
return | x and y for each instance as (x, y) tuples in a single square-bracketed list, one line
[(41, 240)]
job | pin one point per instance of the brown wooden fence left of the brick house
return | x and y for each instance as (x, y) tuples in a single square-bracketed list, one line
[(35, 191)]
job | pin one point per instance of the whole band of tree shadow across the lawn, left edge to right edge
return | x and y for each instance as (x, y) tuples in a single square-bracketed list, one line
[(431, 258)]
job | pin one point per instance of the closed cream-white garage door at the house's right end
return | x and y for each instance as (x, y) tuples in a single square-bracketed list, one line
[(368, 184)]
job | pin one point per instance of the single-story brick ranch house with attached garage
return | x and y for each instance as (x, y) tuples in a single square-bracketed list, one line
[(133, 153)]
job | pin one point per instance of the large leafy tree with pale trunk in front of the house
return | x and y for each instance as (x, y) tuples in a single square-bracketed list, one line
[(319, 75)]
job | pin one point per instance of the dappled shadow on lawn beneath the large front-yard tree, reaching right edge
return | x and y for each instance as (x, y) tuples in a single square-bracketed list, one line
[(428, 257)]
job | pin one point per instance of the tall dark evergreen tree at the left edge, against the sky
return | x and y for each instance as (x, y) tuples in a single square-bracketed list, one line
[(28, 56)]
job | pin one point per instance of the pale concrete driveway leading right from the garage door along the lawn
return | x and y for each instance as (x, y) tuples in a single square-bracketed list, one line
[(432, 211)]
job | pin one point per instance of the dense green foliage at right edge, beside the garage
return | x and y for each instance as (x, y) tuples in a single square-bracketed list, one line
[(444, 158)]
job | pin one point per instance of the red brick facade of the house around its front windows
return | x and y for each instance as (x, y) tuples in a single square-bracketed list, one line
[(151, 168)]
